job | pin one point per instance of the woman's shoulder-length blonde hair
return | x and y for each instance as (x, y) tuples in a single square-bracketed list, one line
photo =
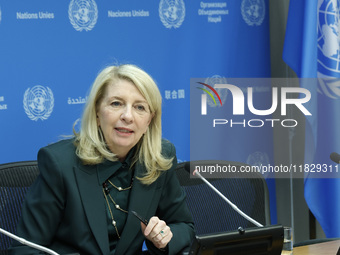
[(91, 146)]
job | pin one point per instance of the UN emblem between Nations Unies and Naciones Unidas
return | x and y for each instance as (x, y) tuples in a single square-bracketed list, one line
[(83, 14)]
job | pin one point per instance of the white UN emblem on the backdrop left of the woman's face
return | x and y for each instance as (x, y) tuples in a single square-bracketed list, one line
[(38, 102)]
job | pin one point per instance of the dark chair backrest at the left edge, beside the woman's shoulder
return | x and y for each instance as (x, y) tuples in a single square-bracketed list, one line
[(15, 180)]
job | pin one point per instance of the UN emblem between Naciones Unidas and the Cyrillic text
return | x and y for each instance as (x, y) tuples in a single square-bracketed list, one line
[(172, 13)]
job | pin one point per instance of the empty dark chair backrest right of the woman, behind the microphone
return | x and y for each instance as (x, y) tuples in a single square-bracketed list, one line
[(211, 213)]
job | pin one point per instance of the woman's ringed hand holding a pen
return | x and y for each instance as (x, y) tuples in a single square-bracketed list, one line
[(157, 232)]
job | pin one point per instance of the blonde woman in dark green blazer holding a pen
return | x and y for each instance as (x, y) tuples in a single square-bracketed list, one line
[(118, 163)]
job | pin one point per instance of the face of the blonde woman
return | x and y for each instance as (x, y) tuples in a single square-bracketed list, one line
[(123, 116)]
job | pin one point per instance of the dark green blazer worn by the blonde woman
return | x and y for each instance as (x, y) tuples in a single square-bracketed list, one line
[(65, 210)]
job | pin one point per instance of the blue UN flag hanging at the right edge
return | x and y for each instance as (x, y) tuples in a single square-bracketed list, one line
[(312, 50)]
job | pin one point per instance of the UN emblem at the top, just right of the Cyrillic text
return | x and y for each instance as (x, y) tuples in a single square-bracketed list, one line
[(253, 11)]
